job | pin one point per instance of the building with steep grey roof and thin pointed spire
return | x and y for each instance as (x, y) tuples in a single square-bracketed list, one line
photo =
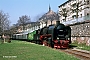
[(48, 18)]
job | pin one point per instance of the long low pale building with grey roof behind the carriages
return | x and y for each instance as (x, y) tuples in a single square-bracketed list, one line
[(29, 27)]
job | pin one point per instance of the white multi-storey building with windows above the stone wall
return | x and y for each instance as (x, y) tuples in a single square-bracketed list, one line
[(73, 9)]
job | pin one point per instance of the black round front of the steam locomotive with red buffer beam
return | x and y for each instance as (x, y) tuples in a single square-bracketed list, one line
[(60, 34)]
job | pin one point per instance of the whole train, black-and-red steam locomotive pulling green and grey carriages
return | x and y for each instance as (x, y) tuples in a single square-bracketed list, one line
[(55, 36)]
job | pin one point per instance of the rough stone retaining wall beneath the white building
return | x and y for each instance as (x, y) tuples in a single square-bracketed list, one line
[(81, 33)]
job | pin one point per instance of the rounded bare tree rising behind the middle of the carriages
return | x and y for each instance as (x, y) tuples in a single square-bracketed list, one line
[(24, 20)]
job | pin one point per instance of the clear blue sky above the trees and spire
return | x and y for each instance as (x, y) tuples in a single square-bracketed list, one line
[(32, 8)]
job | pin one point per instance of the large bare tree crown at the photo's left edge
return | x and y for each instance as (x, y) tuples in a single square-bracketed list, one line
[(4, 22)]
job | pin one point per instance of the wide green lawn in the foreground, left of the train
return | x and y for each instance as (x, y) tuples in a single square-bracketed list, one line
[(21, 50)]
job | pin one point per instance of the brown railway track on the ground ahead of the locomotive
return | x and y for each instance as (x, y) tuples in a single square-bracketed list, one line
[(82, 54)]
